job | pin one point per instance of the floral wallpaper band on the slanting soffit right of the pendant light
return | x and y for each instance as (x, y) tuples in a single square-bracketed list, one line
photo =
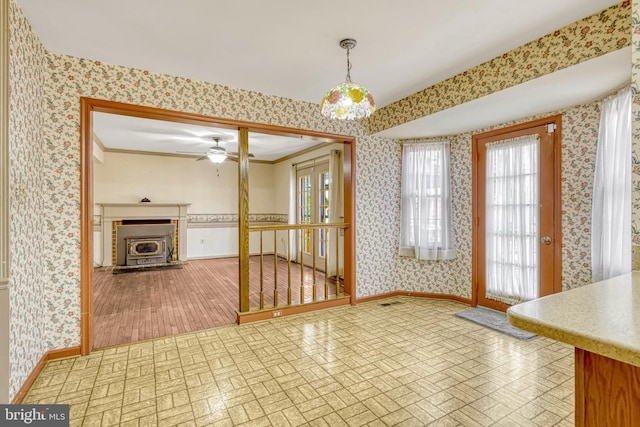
[(595, 35)]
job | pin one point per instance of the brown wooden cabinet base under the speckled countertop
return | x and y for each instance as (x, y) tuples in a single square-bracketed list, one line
[(607, 391)]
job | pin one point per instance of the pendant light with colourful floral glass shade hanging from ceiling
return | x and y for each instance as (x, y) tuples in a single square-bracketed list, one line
[(348, 100)]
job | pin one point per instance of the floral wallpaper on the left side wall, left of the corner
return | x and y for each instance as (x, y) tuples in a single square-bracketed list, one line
[(27, 225)]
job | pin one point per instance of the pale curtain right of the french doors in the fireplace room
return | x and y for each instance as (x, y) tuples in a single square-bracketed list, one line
[(335, 208)]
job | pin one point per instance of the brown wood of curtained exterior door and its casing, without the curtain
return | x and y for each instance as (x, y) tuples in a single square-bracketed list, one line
[(550, 217)]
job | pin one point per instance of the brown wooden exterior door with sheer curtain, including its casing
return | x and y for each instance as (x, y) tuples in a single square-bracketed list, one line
[(517, 248)]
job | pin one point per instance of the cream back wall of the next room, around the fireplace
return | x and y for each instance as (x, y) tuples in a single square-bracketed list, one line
[(127, 178)]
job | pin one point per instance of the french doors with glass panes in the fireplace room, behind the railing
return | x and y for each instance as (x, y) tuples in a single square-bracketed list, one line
[(313, 208)]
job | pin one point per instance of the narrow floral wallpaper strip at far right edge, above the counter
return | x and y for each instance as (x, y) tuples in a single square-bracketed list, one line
[(635, 90)]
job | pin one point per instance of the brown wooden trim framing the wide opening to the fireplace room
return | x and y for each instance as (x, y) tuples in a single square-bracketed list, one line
[(89, 105)]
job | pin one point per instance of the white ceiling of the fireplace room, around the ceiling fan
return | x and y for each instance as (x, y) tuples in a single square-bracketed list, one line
[(119, 132)]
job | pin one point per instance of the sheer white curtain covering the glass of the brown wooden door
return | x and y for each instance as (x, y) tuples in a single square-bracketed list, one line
[(512, 224)]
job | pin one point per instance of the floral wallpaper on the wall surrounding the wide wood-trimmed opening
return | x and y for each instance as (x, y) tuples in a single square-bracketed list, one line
[(70, 78)]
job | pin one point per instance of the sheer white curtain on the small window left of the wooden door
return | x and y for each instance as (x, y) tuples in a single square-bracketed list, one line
[(426, 225)]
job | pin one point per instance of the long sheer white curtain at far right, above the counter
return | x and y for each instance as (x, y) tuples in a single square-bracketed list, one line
[(611, 214)]
